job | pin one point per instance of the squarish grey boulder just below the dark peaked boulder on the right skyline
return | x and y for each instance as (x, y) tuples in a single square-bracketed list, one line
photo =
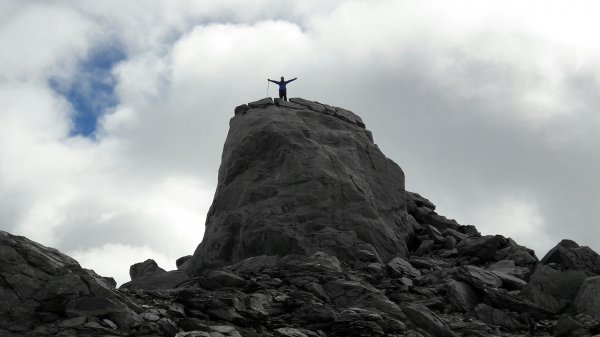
[(552, 289)]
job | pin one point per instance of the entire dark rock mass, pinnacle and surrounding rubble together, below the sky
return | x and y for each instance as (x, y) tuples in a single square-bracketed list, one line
[(311, 234)]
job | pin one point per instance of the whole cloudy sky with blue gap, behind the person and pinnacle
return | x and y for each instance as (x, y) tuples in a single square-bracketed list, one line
[(113, 114)]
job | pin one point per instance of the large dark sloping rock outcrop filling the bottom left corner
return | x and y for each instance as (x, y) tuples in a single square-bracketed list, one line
[(42, 289)]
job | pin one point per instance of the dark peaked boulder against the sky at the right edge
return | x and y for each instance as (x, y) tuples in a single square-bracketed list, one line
[(569, 255)]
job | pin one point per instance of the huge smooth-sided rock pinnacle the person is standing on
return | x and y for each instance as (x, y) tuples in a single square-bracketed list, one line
[(301, 177)]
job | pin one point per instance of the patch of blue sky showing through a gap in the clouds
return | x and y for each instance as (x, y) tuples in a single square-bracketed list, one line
[(92, 91)]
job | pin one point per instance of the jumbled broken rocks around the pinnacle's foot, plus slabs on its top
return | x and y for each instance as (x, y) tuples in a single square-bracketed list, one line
[(450, 281)]
